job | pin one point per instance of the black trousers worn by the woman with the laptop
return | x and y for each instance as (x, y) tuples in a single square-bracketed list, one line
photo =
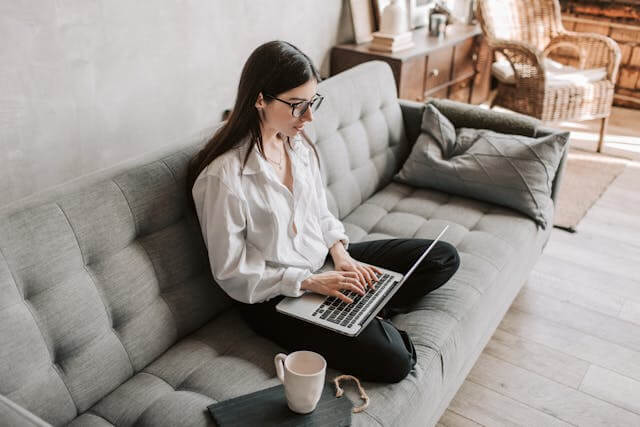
[(380, 352)]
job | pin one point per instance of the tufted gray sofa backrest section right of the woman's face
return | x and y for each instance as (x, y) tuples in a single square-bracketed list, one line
[(359, 134)]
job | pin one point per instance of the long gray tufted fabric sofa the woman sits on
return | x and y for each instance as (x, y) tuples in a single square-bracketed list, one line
[(109, 314)]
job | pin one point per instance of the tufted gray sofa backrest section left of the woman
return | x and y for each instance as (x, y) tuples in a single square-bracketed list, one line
[(96, 284)]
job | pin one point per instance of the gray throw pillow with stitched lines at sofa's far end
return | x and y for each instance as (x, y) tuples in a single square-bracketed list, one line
[(509, 170)]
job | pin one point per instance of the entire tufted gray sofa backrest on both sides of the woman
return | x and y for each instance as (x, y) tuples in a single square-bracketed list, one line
[(98, 281)]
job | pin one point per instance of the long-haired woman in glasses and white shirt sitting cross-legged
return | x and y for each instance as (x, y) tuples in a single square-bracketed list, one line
[(261, 204)]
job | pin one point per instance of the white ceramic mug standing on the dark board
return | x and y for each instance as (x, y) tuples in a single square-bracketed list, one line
[(302, 373)]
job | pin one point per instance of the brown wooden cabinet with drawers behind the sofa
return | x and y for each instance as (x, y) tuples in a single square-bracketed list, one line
[(455, 67)]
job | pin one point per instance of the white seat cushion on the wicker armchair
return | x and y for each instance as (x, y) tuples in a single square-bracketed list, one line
[(557, 74)]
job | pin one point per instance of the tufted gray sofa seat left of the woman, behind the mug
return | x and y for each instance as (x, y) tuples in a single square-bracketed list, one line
[(219, 361)]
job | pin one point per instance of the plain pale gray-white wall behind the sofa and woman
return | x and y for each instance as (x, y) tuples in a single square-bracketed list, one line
[(86, 84)]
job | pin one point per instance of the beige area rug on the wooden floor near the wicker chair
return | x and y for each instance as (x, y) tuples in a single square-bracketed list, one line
[(586, 176)]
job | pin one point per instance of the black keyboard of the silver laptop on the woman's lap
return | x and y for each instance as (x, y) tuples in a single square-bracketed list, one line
[(336, 311)]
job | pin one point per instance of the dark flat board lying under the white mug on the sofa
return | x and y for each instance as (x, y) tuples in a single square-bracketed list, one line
[(268, 407)]
